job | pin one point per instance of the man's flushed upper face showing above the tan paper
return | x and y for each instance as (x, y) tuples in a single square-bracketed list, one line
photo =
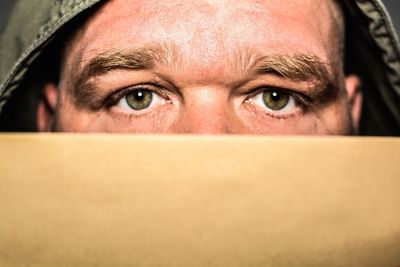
[(205, 66)]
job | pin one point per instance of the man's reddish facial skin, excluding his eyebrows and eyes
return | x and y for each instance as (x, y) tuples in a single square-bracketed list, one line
[(207, 35)]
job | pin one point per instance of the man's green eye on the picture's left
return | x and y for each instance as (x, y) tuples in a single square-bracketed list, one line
[(139, 99)]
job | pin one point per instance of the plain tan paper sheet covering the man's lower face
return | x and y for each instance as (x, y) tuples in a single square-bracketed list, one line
[(112, 200)]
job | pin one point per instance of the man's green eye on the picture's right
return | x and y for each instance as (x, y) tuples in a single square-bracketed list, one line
[(275, 100)]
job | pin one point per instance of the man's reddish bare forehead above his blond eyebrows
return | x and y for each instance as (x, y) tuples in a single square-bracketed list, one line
[(206, 30)]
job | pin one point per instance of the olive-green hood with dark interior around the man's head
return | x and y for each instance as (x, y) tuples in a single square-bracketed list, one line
[(371, 51)]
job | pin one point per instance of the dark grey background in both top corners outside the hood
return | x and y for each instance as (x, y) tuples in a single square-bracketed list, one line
[(392, 5)]
